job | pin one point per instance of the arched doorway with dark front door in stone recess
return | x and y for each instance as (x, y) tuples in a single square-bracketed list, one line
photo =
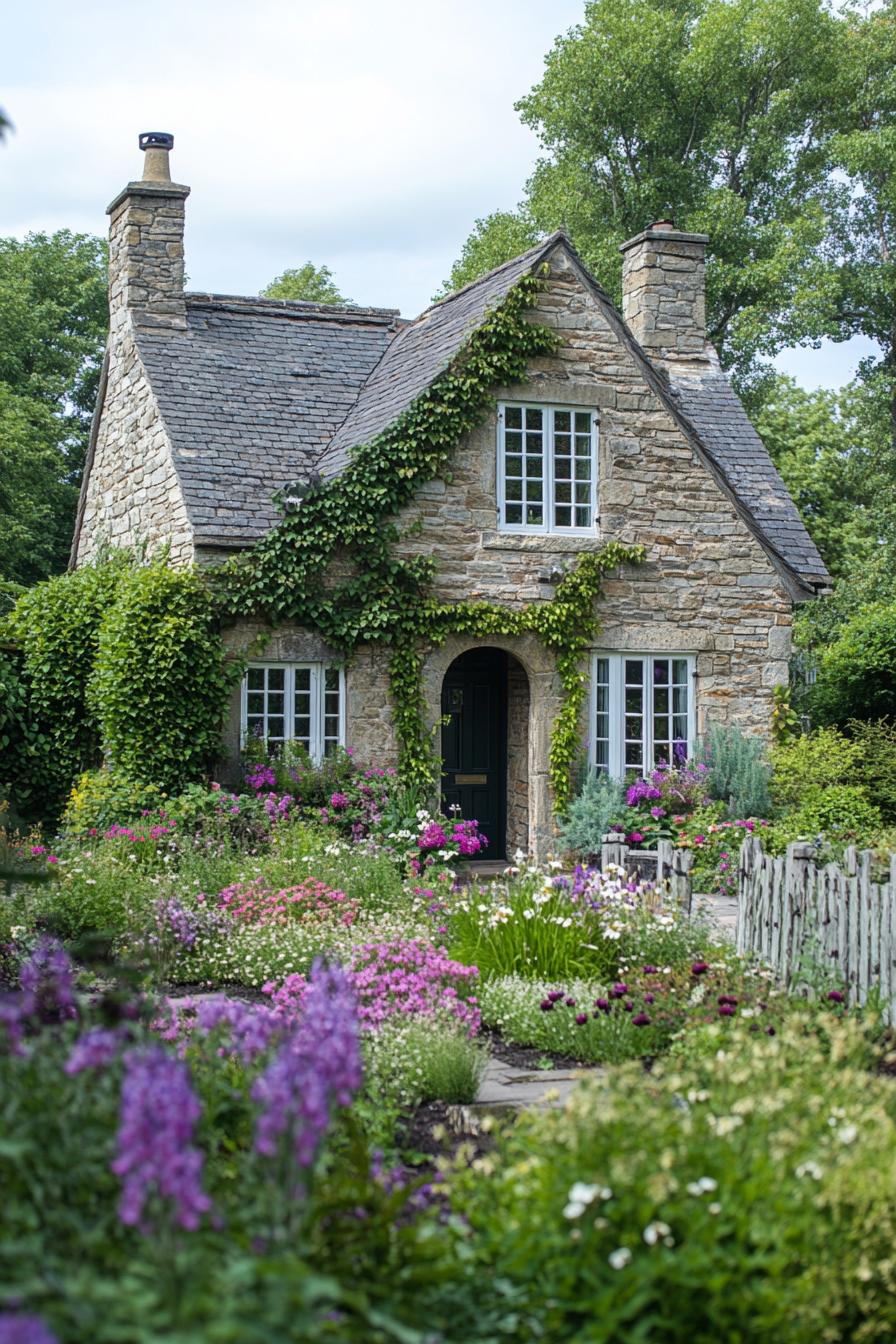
[(486, 739)]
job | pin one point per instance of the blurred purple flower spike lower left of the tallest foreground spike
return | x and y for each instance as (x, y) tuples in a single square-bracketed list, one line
[(155, 1151)]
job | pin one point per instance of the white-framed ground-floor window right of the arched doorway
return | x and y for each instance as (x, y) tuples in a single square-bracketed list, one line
[(641, 706)]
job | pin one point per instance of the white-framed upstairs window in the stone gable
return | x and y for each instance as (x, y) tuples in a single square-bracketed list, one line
[(547, 468)]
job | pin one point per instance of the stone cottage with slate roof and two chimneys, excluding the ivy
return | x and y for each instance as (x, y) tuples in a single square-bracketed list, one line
[(210, 404)]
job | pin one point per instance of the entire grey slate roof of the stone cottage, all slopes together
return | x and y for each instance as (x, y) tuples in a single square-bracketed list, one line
[(256, 393)]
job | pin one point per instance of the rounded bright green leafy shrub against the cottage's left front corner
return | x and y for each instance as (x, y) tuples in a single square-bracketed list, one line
[(161, 681)]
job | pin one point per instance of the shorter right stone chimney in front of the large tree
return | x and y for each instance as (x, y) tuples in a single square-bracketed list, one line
[(664, 298)]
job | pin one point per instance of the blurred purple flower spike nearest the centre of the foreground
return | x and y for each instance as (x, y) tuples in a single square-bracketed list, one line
[(318, 1066)]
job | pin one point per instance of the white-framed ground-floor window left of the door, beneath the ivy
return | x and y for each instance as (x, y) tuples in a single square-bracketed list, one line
[(296, 702)]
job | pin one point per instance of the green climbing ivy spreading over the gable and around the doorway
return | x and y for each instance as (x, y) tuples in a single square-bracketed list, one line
[(386, 597)]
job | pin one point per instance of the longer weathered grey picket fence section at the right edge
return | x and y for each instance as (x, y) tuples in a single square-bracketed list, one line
[(795, 911)]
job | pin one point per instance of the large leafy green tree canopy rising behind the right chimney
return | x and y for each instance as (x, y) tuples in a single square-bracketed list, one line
[(765, 124)]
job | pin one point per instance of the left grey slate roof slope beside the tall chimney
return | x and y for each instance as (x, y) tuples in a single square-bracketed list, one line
[(252, 394)]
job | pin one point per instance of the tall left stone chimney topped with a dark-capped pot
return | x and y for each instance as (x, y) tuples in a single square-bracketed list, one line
[(147, 244)]
